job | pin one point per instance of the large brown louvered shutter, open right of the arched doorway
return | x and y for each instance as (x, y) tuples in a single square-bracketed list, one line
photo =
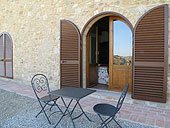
[(151, 55)]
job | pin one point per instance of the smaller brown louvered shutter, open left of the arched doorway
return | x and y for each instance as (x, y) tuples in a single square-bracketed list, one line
[(69, 54)]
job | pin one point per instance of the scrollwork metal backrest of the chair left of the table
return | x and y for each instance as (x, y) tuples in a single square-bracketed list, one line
[(40, 85)]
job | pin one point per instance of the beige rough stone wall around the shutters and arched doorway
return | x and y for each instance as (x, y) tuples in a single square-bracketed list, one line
[(35, 29)]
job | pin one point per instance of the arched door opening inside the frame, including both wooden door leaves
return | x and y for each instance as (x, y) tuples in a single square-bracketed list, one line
[(109, 54)]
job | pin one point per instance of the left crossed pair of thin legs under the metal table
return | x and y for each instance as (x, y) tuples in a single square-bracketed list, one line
[(67, 107)]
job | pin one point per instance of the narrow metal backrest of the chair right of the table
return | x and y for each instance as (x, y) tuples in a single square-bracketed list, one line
[(122, 97)]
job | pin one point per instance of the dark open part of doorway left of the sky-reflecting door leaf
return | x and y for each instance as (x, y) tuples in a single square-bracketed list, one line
[(98, 40)]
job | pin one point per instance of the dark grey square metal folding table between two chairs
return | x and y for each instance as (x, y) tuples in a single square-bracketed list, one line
[(72, 93)]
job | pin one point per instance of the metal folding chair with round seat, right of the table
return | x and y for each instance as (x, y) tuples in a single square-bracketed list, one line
[(110, 110)]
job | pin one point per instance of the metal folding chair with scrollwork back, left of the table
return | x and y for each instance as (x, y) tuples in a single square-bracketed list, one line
[(41, 89)]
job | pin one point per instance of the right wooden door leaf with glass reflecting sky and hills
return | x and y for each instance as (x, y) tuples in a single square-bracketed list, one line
[(120, 54)]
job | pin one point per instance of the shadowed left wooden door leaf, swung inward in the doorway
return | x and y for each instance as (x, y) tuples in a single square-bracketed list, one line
[(92, 57)]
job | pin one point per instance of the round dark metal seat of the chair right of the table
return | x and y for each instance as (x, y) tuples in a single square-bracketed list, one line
[(105, 109)]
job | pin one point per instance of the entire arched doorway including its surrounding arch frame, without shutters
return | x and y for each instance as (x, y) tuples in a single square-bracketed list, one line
[(101, 69)]
